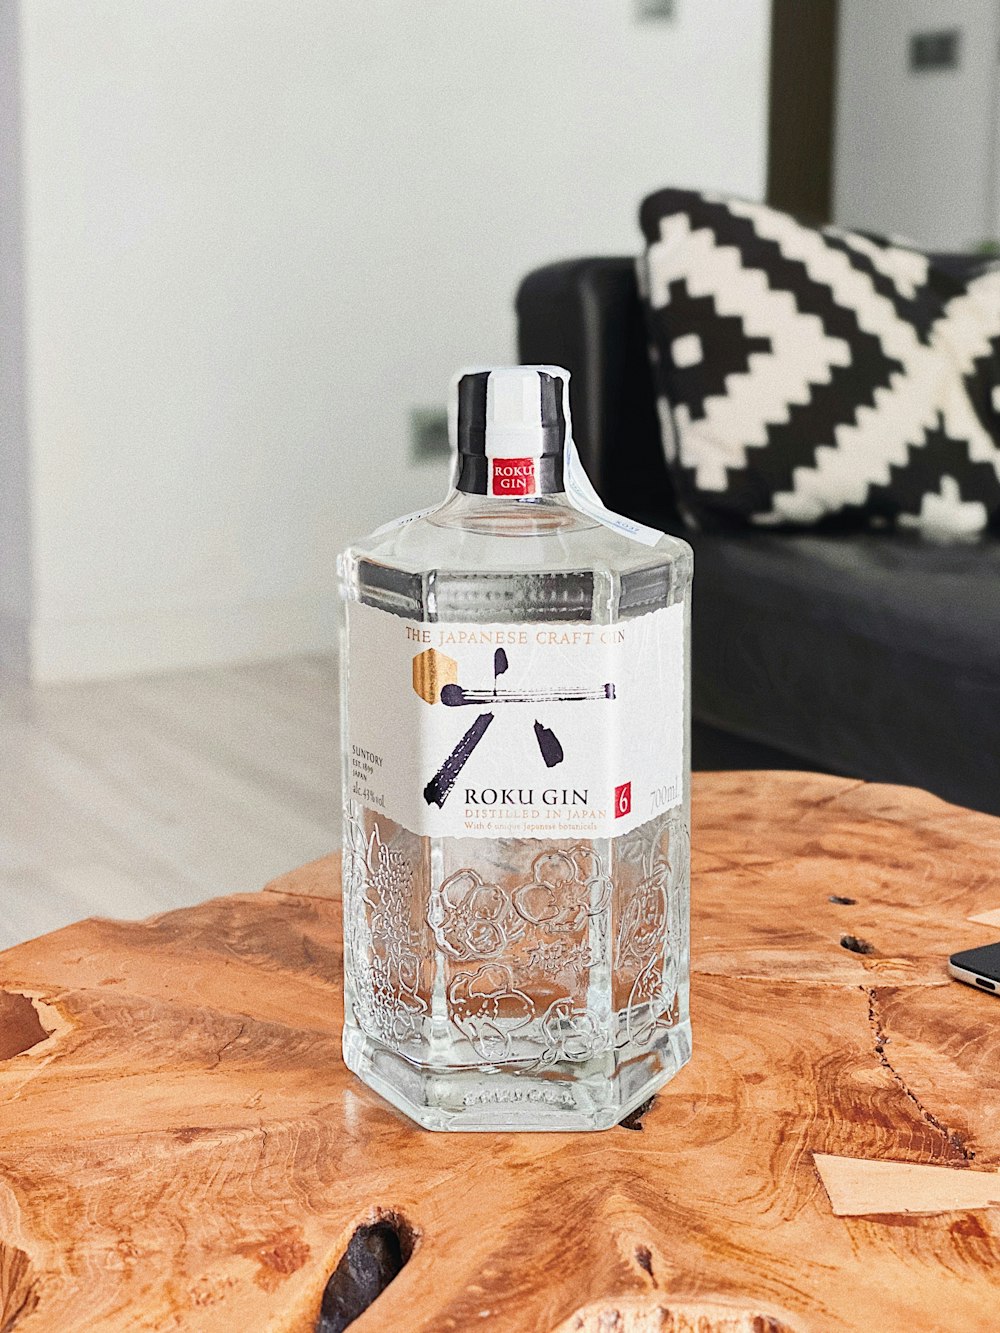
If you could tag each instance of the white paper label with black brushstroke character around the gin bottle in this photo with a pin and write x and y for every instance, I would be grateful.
(502, 731)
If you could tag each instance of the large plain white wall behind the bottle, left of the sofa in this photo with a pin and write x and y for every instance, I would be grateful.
(259, 231)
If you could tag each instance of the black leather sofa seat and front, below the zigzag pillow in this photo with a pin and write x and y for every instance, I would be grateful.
(866, 657)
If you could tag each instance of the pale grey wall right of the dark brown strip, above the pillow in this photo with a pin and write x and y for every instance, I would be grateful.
(917, 154)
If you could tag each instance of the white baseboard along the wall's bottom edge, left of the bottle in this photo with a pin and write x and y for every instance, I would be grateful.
(94, 649)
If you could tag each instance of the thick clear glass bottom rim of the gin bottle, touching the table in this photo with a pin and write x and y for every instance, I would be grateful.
(503, 1099)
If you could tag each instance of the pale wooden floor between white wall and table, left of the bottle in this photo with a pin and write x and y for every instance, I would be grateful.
(130, 798)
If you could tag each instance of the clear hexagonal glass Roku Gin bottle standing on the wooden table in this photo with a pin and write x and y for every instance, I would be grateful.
(517, 790)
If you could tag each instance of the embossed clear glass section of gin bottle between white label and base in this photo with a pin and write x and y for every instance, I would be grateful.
(562, 954)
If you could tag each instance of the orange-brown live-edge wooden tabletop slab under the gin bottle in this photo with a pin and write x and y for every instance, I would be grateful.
(182, 1148)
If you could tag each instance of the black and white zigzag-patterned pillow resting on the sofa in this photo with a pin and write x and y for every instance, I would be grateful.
(821, 378)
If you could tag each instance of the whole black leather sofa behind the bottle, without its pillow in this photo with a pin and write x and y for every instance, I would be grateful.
(869, 655)
